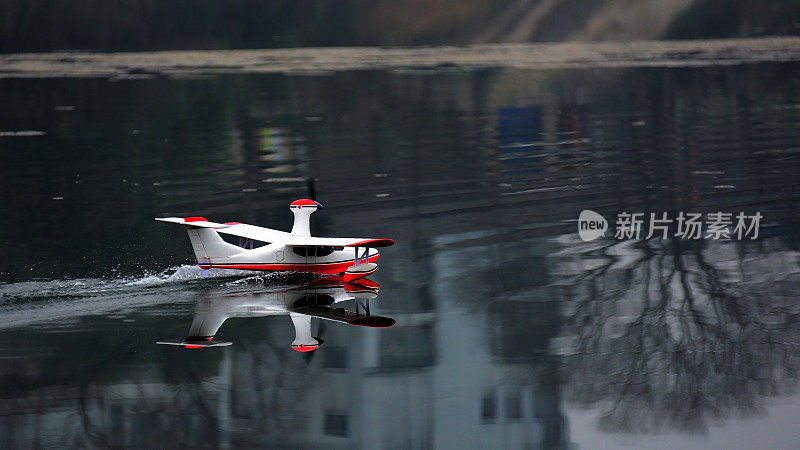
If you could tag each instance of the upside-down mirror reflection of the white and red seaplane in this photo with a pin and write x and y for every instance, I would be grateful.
(317, 299)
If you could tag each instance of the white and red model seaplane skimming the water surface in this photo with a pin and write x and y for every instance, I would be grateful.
(296, 250)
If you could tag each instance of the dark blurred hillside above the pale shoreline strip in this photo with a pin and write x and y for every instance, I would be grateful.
(101, 25)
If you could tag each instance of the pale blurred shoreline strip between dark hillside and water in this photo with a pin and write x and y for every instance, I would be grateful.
(320, 60)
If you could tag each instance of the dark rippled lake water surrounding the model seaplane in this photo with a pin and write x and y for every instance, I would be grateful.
(511, 332)
